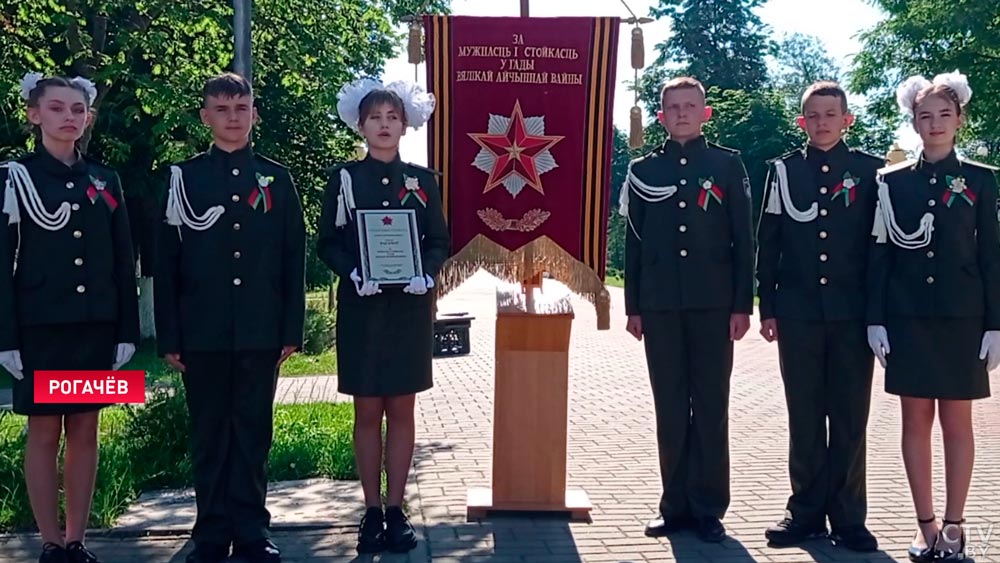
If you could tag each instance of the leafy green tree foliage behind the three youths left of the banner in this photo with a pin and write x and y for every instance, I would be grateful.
(150, 58)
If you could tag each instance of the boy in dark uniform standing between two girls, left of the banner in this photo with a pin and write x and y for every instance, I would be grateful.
(230, 303)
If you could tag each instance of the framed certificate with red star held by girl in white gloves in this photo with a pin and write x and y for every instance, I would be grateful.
(390, 246)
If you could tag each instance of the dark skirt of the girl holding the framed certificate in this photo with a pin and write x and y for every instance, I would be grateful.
(385, 342)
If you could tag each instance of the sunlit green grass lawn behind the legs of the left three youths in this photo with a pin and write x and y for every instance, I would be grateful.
(143, 449)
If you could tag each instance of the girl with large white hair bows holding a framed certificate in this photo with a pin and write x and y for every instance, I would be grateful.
(384, 334)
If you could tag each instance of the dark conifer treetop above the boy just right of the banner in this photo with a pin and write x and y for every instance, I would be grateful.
(720, 42)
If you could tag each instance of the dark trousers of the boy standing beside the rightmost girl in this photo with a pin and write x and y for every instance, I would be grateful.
(827, 370)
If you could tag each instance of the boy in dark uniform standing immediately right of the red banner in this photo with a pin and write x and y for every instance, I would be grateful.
(689, 292)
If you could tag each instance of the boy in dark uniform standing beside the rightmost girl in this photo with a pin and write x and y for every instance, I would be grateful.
(813, 240)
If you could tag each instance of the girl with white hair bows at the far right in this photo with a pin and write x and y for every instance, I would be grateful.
(934, 301)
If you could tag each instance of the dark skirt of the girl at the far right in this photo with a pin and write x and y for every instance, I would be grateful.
(936, 358)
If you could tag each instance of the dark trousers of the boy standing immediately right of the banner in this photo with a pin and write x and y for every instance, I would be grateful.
(690, 360)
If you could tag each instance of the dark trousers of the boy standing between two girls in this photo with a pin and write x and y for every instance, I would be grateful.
(230, 396)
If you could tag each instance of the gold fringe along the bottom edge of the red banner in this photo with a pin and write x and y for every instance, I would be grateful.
(539, 255)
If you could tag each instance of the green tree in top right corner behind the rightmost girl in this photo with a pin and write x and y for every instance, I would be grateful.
(929, 37)
